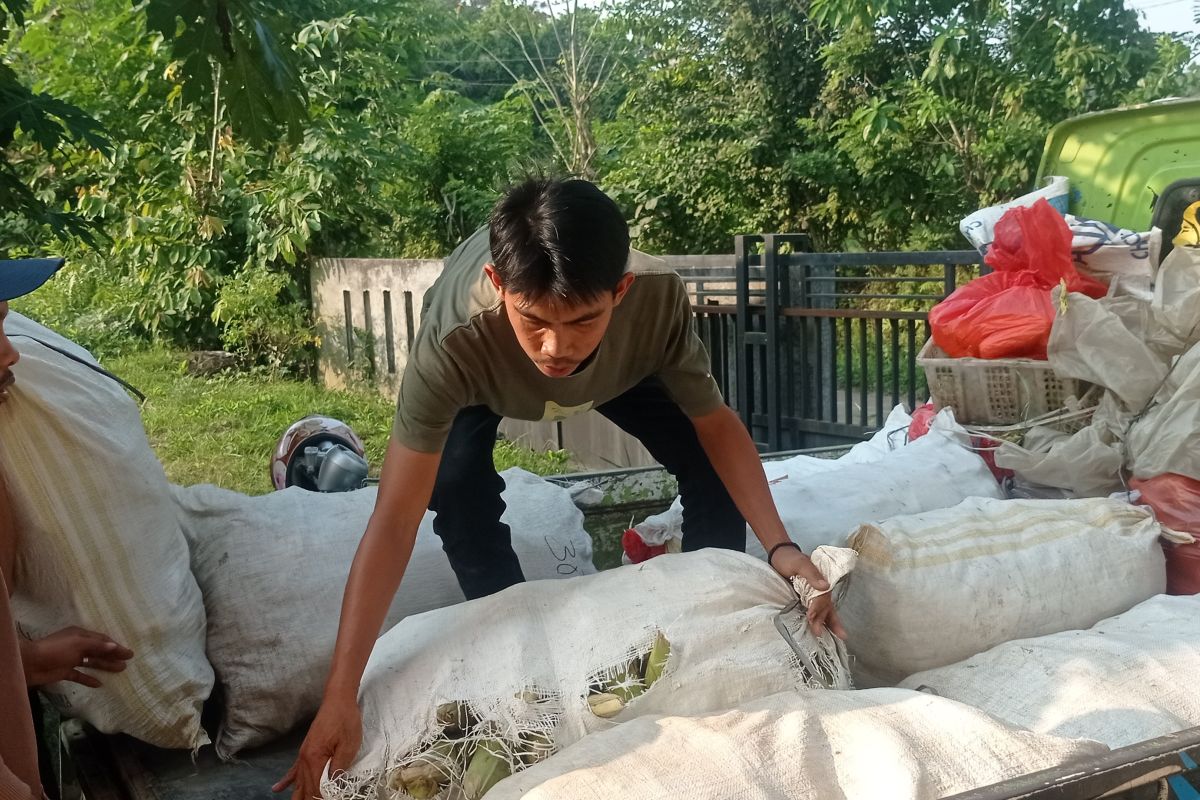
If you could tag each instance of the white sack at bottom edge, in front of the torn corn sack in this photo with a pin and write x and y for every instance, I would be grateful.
(883, 743)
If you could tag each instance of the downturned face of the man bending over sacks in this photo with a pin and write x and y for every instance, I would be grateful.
(556, 336)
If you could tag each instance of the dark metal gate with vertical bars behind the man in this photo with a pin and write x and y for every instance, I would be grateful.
(814, 350)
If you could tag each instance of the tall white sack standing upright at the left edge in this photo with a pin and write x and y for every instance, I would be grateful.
(100, 546)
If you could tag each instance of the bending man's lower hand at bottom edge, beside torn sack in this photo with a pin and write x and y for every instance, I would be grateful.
(334, 738)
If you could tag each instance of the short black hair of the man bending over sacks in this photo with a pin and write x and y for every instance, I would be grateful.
(566, 240)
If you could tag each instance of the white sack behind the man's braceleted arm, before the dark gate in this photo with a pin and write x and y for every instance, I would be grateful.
(824, 502)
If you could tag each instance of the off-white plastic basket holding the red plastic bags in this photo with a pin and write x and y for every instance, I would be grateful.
(995, 392)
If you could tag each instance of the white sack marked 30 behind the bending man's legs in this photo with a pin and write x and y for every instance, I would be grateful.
(273, 570)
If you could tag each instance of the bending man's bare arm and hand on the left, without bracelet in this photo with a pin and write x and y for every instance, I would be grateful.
(406, 485)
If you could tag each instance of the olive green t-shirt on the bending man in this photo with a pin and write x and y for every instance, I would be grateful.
(467, 354)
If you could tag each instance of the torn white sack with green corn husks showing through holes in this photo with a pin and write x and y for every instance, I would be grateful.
(457, 700)
